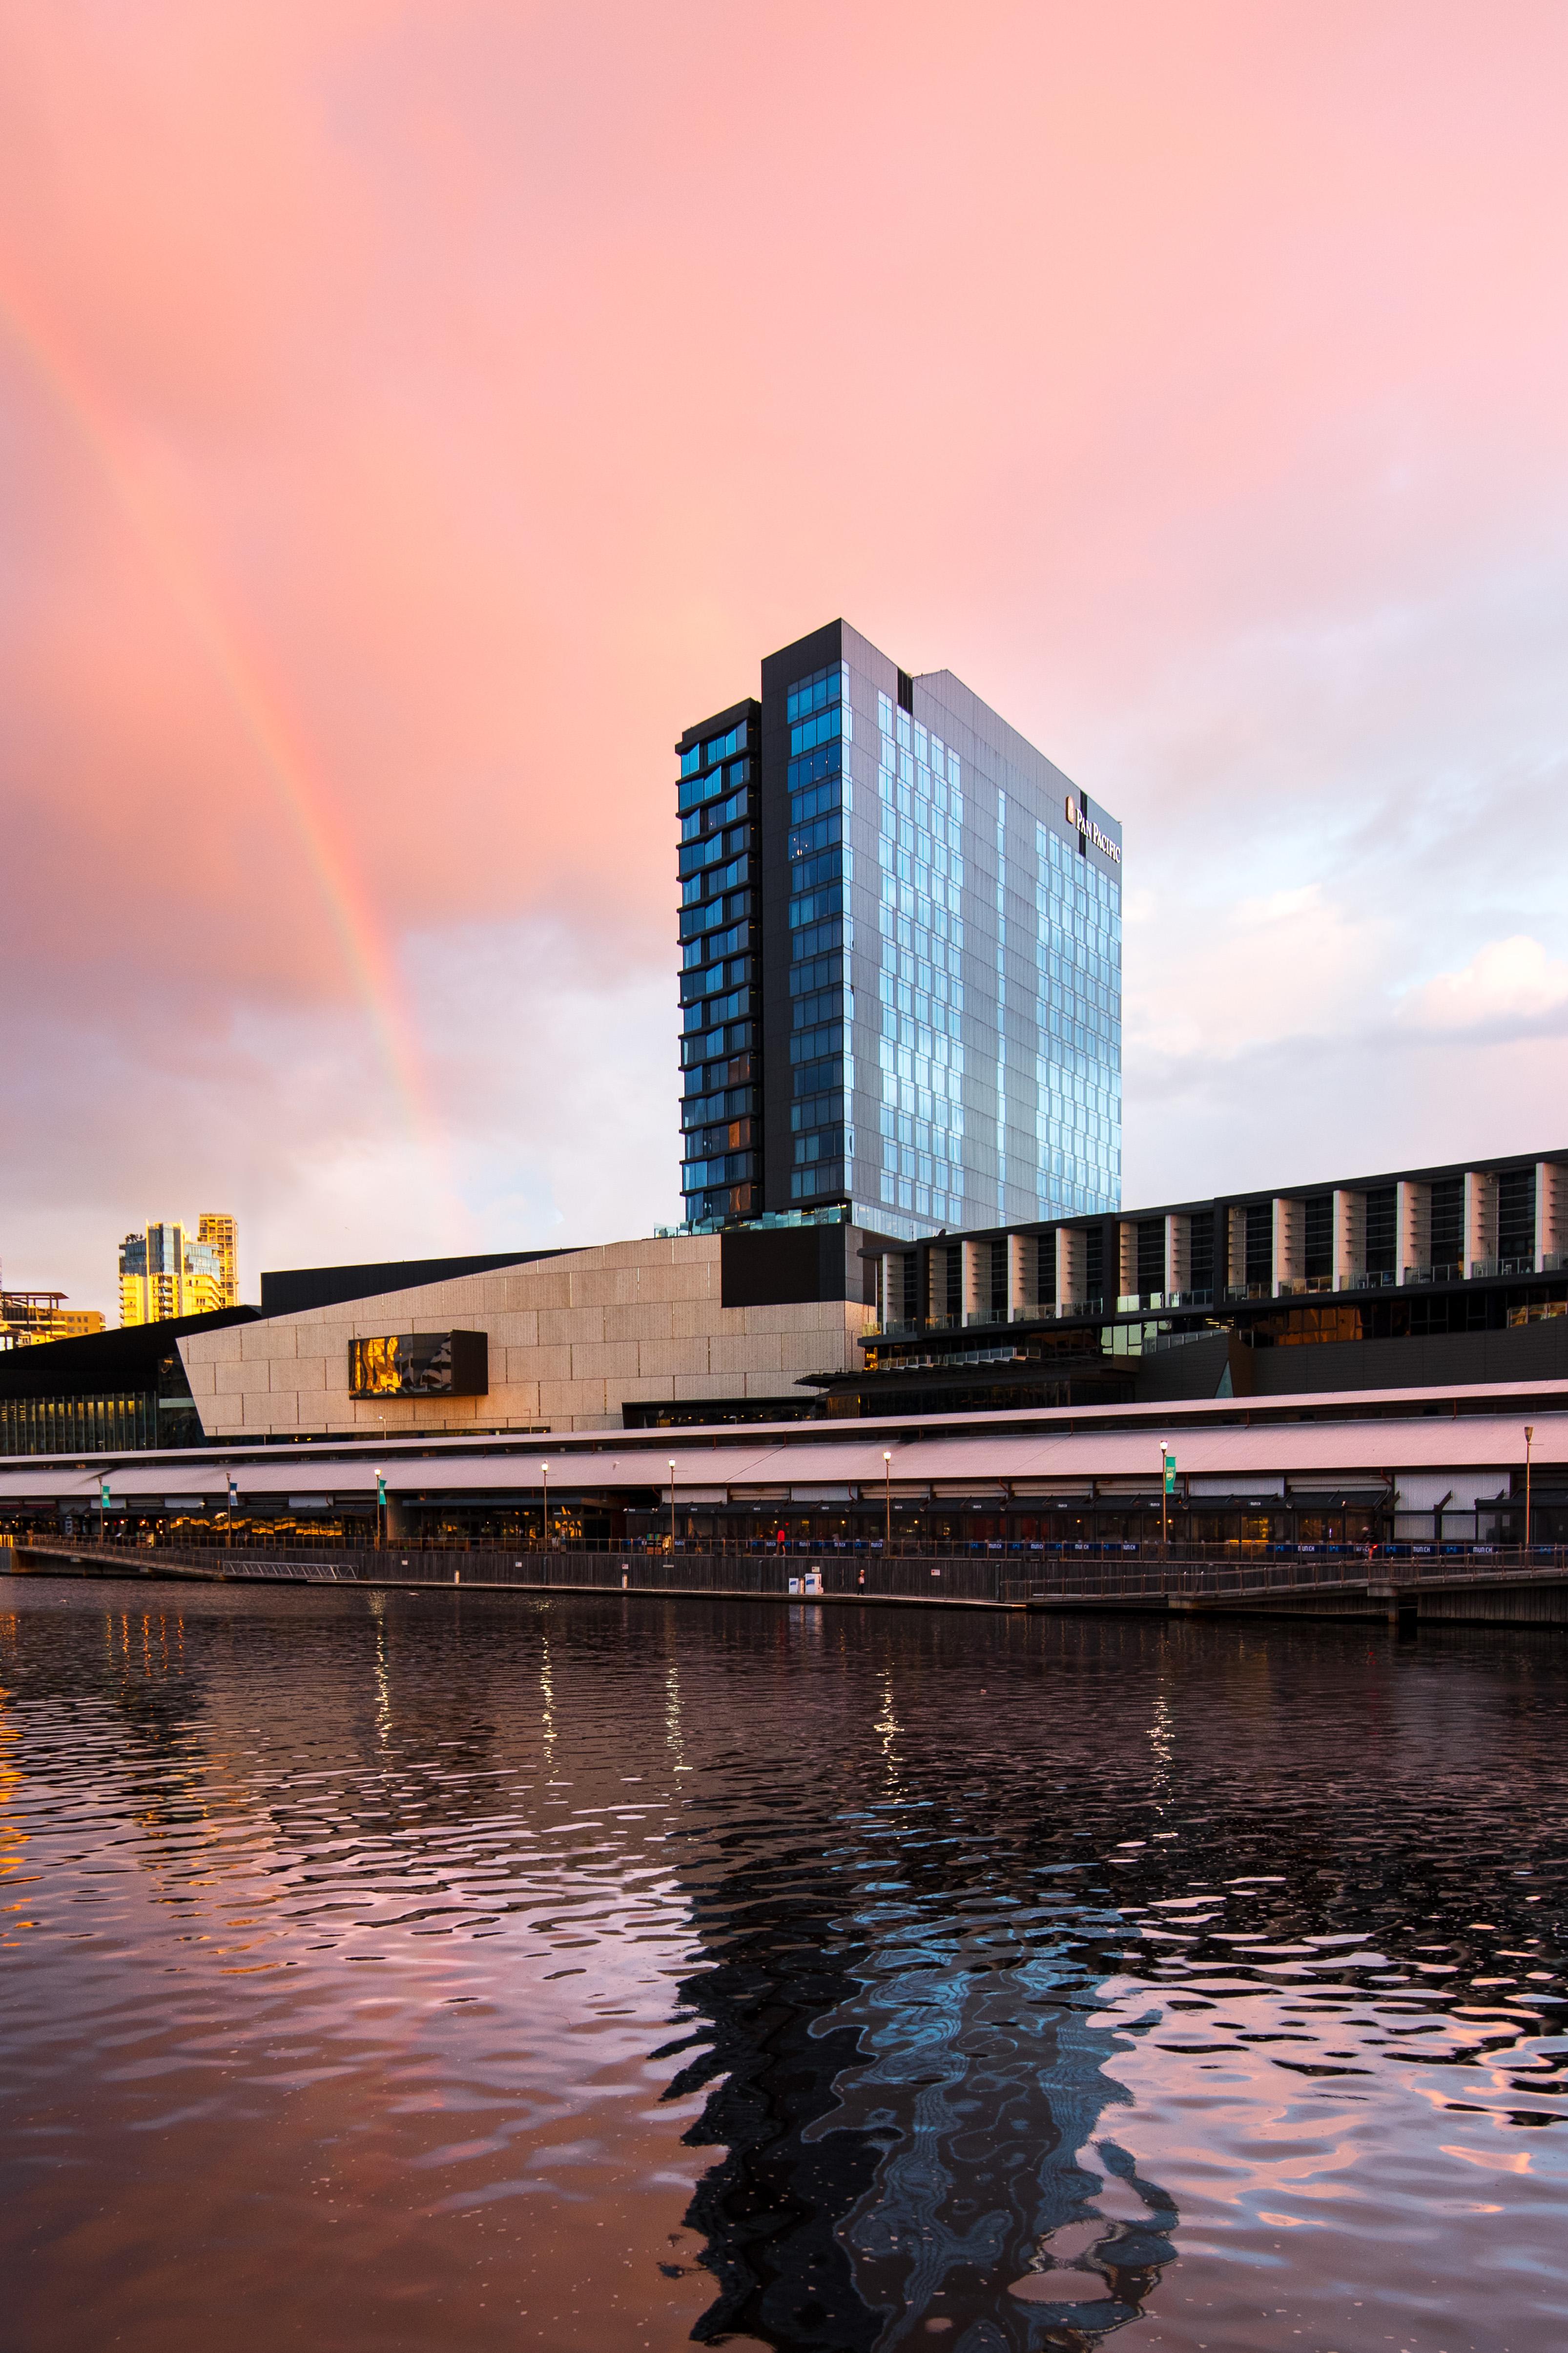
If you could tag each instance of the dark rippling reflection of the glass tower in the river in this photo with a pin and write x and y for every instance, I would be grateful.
(909, 2084)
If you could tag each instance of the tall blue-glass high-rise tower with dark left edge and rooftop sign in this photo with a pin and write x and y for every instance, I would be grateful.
(902, 959)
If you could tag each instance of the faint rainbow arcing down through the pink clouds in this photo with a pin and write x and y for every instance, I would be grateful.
(281, 756)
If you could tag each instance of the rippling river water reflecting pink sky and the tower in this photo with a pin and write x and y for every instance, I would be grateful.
(455, 1971)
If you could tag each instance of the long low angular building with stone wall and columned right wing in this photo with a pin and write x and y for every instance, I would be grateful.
(1414, 1281)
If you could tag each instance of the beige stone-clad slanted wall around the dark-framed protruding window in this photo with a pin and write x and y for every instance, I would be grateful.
(570, 1342)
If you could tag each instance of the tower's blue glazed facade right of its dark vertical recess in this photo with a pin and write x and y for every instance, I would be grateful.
(956, 961)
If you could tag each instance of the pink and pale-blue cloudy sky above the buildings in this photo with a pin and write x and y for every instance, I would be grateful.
(410, 418)
